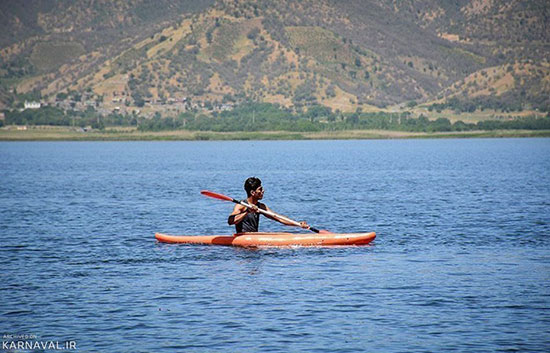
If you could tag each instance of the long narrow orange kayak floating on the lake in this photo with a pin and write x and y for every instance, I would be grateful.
(271, 239)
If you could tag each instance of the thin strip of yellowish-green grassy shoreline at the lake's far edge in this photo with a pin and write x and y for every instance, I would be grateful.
(67, 134)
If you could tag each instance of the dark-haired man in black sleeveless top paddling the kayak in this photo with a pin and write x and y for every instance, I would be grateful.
(248, 219)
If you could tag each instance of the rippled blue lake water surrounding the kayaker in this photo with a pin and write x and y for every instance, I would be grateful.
(461, 261)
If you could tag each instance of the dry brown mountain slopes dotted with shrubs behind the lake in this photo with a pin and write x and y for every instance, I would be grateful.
(345, 55)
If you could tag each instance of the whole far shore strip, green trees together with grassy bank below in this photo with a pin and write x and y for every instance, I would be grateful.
(260, 120)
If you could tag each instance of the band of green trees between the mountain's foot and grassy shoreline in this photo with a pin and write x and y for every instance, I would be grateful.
(261, 117)
